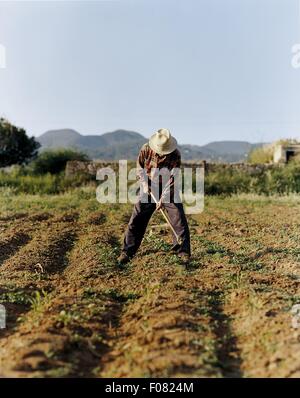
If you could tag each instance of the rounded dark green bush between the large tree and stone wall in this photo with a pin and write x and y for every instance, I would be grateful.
(54, 161)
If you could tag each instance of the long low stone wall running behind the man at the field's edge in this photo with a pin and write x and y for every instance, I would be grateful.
(90, 167)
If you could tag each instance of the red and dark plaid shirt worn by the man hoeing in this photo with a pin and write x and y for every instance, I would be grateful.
(148, 160)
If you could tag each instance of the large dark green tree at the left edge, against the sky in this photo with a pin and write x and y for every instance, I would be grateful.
(15, 146)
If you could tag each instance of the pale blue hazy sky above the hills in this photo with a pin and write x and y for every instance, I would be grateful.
(206, 69)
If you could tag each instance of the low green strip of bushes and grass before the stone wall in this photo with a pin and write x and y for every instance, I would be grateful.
(280, 180)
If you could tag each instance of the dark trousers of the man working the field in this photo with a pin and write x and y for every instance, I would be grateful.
(140, 217)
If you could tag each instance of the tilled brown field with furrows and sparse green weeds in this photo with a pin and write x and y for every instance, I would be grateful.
(72, 312)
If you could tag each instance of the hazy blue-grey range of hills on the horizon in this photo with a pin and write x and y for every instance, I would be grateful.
(124, 144)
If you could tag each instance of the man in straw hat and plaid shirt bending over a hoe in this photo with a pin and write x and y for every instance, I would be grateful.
(160, 153)
